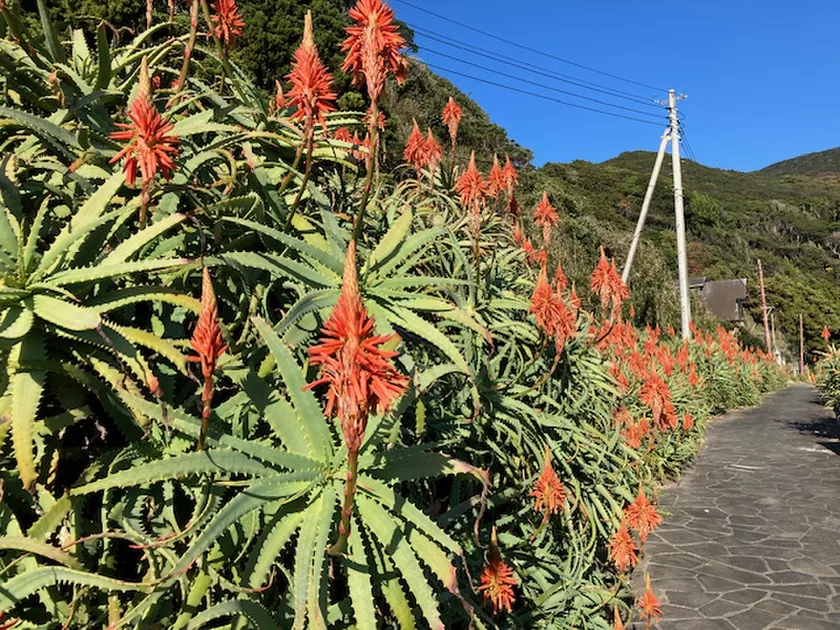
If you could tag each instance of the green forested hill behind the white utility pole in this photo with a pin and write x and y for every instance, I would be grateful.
(791, 222)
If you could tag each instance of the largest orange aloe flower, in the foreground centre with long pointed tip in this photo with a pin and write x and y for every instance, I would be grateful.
(357, 371)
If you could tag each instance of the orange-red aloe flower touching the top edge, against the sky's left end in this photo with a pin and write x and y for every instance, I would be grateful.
(373, 47)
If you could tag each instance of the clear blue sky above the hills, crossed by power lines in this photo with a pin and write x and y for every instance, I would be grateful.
(762, 76)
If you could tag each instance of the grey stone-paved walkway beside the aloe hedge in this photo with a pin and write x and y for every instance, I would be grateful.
(751, 538)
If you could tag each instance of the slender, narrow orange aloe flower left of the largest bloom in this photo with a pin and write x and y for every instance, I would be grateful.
(208, 342)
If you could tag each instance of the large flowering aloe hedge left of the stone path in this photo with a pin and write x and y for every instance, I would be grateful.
(250, 380)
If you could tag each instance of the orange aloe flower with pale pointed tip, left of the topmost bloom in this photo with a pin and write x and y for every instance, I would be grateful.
(311, 92)
